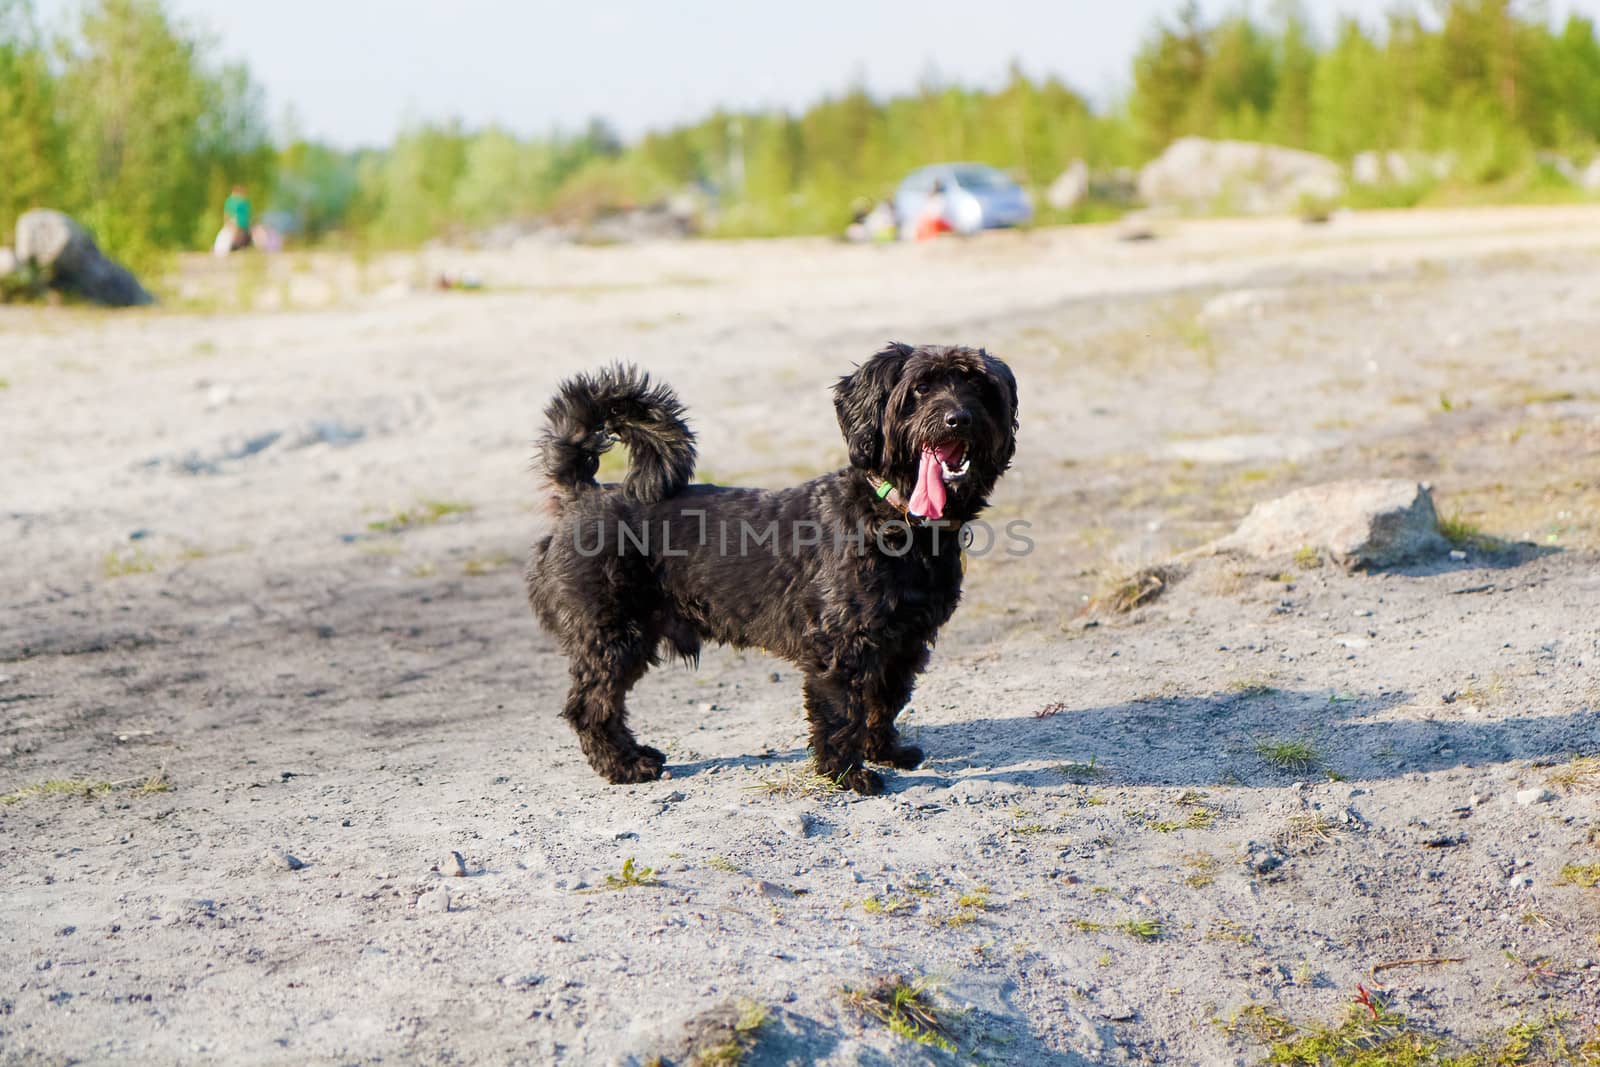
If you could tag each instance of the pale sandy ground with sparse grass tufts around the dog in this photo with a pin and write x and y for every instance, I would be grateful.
(273, 559)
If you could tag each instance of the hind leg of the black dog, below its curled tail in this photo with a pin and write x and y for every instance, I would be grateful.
(598, 711)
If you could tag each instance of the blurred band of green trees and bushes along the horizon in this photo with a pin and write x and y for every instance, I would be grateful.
(126, 124)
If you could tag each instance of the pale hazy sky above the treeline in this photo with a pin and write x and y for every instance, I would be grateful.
(356, 71)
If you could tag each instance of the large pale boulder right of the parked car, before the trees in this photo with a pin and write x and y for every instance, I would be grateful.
(1202, 175)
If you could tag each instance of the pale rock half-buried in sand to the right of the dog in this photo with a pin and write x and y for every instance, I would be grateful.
(1356, 524)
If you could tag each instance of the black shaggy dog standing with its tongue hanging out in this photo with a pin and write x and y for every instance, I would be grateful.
(849, 577)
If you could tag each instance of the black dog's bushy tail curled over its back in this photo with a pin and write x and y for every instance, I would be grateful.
(618, 402)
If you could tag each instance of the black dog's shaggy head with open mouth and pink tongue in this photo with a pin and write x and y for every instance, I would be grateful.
(932, 414)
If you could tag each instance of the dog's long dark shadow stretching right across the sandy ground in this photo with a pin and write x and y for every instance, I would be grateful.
(1249, 738)
